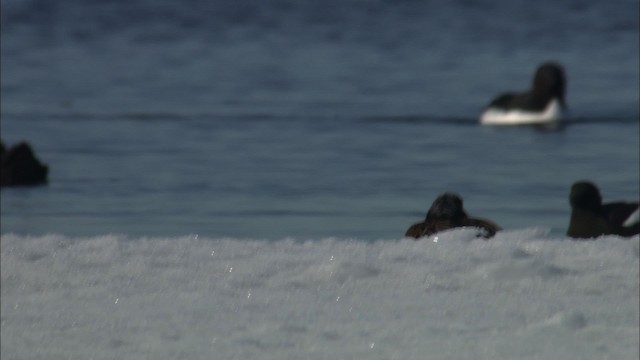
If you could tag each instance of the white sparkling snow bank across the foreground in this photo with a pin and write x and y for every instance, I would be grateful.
(521, 295)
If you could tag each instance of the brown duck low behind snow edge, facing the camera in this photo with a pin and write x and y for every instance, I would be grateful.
(447, 212)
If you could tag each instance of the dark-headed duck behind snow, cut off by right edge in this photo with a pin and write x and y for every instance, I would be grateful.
(591, 218)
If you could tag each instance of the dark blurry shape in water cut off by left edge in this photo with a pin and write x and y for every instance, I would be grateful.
(20, 167)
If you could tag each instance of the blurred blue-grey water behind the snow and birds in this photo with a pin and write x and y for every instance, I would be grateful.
(271, 119)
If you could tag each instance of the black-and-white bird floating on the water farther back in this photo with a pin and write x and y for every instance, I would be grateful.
(543, 104)
